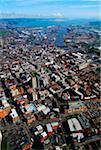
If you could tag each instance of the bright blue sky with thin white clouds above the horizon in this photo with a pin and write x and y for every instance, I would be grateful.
(50, 8)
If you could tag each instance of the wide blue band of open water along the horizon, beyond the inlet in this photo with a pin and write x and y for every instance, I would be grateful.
(41, 22)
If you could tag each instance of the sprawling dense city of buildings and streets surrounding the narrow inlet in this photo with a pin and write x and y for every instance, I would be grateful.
(49, 96)
